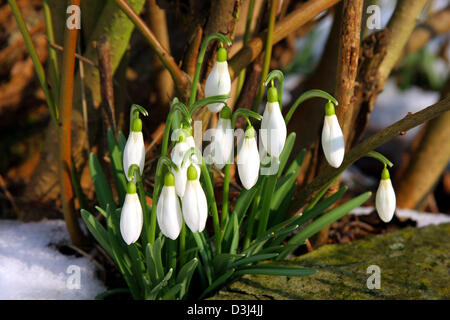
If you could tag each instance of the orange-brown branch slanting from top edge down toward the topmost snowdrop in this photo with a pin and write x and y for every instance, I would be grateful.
(282, 29)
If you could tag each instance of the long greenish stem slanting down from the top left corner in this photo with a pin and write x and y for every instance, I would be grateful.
(40, 73)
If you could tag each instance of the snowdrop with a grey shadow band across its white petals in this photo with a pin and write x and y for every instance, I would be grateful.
(332, 138)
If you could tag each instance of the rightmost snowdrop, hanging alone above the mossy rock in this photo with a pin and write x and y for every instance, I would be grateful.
(385, 201)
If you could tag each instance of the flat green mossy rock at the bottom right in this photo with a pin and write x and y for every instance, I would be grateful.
(414, 264)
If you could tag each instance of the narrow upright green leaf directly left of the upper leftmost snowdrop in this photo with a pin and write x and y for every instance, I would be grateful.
(117, 166)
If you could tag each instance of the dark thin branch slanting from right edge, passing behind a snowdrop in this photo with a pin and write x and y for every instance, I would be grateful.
(371, 143)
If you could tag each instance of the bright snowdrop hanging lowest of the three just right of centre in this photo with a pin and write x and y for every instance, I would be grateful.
(248, 159)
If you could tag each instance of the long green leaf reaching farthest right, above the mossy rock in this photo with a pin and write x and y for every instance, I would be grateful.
(323, 221)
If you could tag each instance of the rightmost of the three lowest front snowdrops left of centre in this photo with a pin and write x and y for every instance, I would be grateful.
(195, 206)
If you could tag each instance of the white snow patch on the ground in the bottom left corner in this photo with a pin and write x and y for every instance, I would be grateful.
(32, 268)
